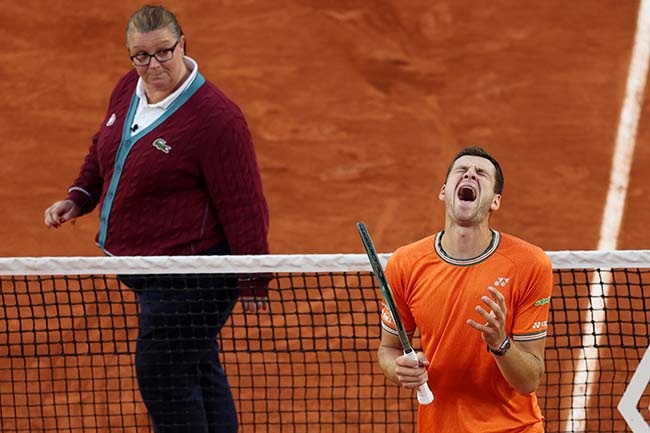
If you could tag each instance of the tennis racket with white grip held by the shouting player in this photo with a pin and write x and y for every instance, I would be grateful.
(425, 396)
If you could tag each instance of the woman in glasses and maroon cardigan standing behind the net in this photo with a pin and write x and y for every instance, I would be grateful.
(173, 171)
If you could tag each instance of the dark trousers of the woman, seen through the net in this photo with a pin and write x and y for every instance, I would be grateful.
(181, 379)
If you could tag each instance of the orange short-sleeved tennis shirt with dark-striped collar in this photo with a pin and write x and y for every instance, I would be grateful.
(437, 294)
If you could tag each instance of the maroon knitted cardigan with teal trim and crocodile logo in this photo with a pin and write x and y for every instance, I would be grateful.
(199, 187)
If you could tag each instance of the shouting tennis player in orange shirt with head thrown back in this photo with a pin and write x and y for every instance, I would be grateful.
(480, 301)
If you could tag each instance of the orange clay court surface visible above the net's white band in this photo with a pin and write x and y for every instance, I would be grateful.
(355, 107)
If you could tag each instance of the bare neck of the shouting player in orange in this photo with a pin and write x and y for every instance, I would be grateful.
(466, 242)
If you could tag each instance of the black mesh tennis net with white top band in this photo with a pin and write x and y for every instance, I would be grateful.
(68, 328)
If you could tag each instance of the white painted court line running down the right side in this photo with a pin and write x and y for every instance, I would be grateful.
(594, 326)
